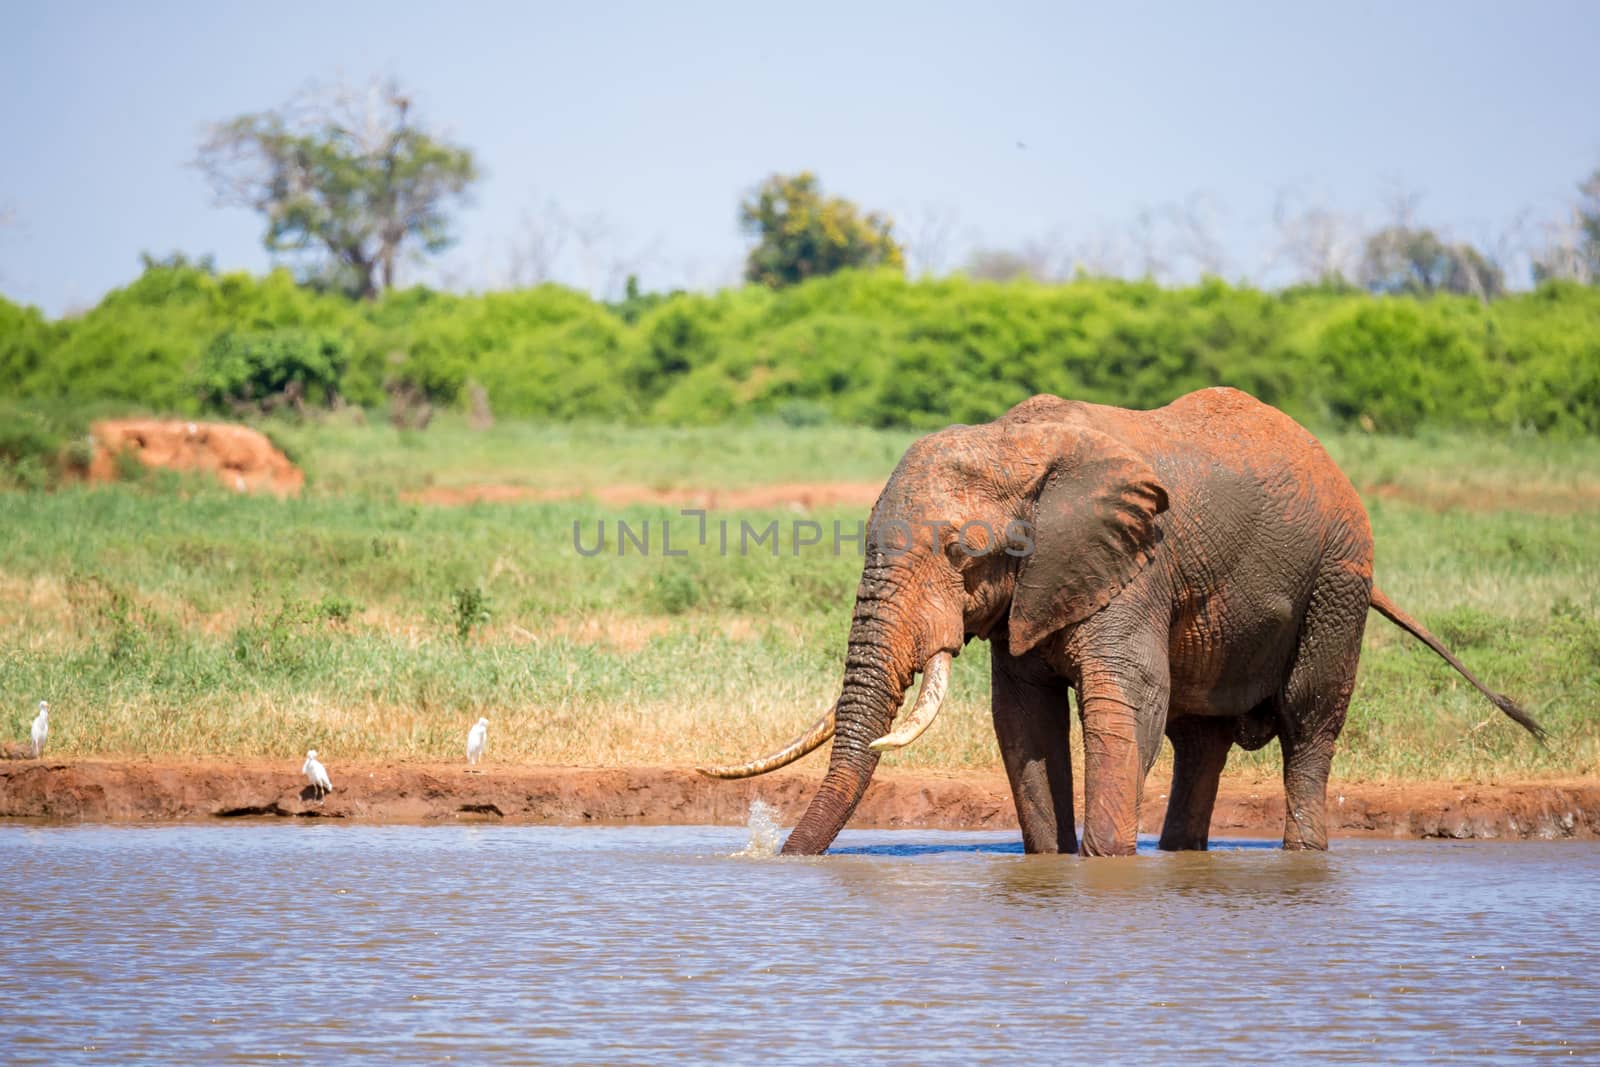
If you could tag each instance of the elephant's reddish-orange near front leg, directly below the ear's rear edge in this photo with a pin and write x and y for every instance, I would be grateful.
(1122, 701)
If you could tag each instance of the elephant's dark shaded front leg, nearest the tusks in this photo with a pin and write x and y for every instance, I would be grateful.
(1034, 730)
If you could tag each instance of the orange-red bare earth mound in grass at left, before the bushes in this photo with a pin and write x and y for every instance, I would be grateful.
(239, 457)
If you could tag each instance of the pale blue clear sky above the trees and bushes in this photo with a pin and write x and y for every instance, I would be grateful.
(650, 121)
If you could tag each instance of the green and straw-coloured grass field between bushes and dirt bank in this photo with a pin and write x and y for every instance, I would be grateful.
(174, 618)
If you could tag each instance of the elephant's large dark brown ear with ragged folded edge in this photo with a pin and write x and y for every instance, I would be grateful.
(1094, 530)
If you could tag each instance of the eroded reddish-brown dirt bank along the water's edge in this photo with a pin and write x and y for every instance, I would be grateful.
(422, 793)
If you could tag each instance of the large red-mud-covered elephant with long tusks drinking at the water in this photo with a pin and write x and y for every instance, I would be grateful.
(1201, 572)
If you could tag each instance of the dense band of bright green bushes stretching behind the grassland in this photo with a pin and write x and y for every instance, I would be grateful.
(854, 348)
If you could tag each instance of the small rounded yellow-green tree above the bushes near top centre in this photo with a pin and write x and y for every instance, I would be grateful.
(802, 234)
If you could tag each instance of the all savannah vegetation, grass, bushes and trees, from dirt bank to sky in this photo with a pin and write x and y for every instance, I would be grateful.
(161, 615)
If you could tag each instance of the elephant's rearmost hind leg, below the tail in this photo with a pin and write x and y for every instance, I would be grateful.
(1316, 700)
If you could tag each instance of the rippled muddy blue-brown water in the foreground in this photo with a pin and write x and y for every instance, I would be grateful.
(540, 945)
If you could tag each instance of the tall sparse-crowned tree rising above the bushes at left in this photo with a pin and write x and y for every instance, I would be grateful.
(343, 174)
